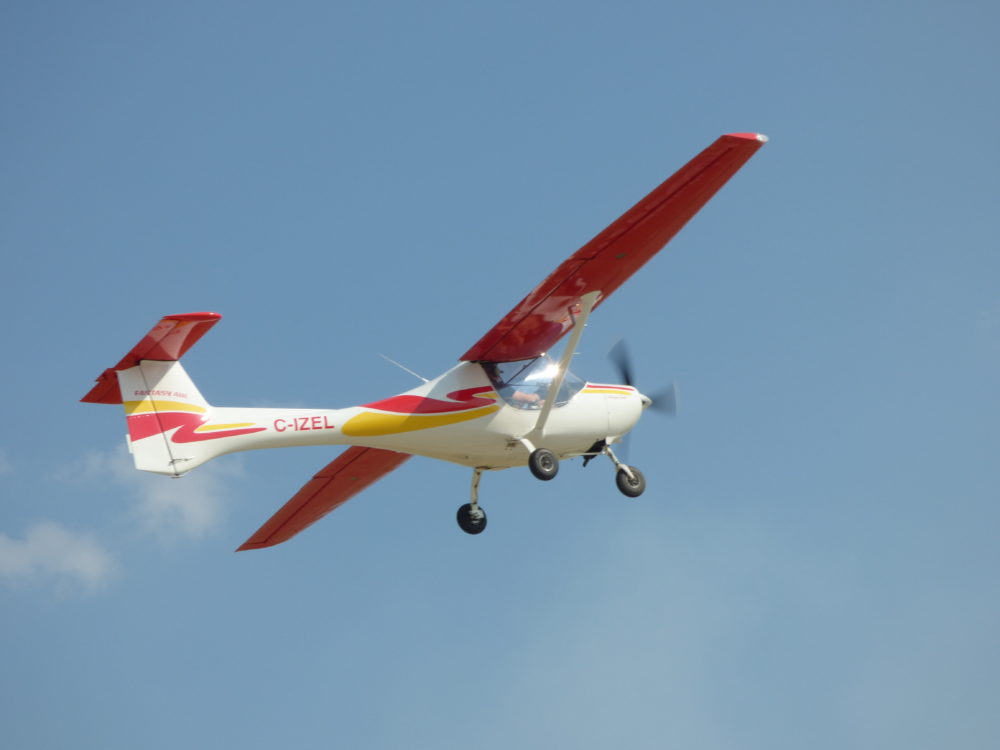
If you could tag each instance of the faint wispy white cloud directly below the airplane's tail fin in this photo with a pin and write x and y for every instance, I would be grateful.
(168, 508)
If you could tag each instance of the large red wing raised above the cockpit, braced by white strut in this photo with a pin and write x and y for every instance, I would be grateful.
(604, 263)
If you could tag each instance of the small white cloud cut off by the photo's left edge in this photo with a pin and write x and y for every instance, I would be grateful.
(74, 561)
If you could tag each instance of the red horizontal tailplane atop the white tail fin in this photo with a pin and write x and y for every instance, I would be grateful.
(168, 341)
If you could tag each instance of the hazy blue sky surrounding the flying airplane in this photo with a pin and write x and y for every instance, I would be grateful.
(814, 563)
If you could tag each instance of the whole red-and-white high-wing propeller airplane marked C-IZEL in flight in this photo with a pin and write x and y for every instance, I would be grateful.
(507, 403)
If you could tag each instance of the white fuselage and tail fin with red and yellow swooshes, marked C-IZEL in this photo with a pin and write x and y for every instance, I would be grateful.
(457, 417)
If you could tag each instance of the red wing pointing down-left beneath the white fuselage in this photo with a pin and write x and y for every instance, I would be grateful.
(352, 471)
